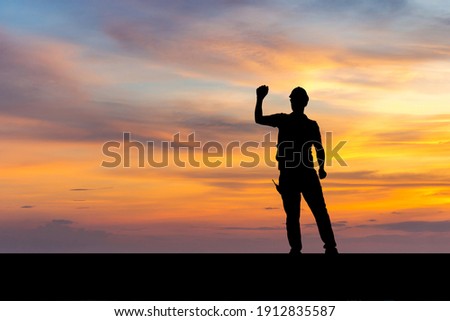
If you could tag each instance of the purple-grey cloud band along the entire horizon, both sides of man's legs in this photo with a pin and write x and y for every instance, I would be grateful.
(65, 236)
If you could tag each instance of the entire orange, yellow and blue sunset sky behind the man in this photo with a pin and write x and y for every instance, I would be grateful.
(78, 74)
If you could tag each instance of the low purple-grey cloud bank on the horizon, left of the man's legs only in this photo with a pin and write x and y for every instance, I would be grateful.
(62, 236)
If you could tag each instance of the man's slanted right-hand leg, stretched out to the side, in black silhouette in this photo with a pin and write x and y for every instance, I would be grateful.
(312, 192)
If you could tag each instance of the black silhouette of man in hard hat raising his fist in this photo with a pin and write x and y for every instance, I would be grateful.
(296, 136)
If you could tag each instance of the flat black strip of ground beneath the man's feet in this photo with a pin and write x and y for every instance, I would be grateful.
(225, 277)
